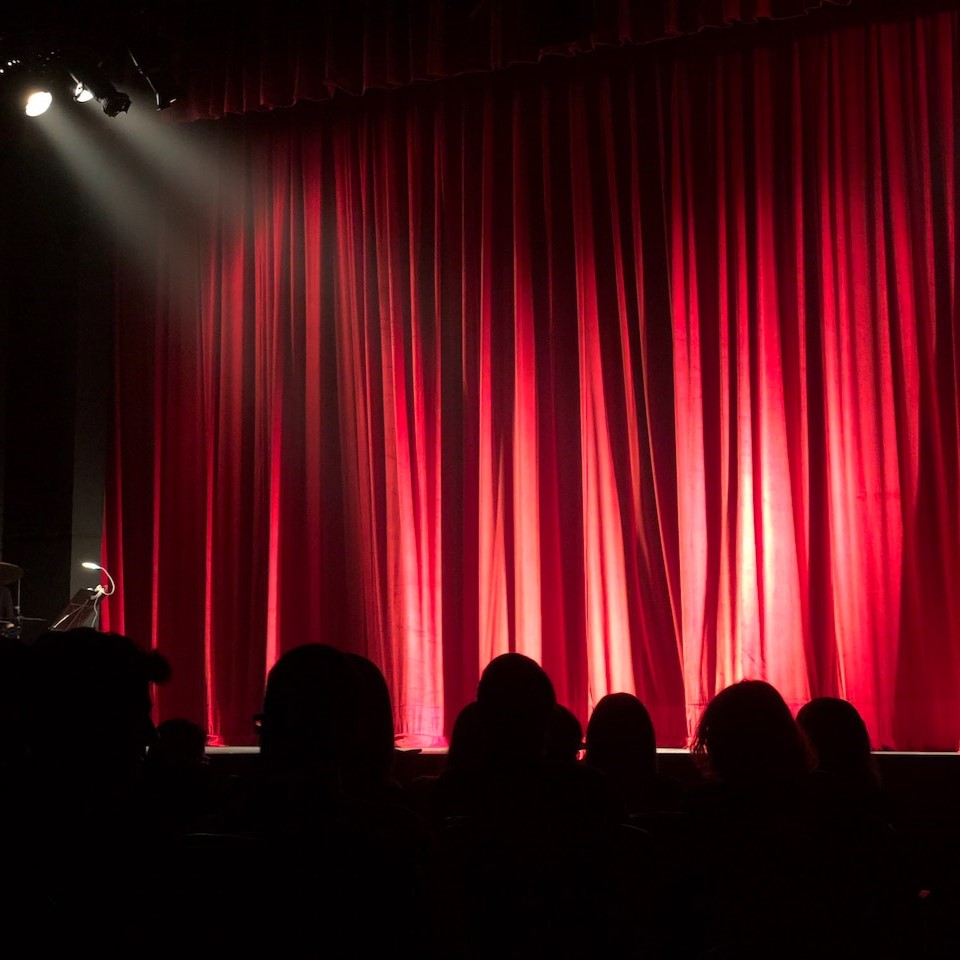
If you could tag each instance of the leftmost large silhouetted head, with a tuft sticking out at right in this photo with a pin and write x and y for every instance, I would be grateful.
(90, 696)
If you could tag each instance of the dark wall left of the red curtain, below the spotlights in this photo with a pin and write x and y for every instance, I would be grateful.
(55, 363)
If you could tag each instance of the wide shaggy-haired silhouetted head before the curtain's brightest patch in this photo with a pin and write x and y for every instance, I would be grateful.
(747, 733)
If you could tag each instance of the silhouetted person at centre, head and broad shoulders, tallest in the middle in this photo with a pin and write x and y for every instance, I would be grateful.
(535, 861)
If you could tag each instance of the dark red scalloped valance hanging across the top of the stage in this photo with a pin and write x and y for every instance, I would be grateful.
(275, 56)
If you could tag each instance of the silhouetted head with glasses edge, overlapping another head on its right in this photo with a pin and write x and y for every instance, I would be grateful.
(309, 710)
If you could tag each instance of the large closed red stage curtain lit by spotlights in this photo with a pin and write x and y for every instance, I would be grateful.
(645, 365)
